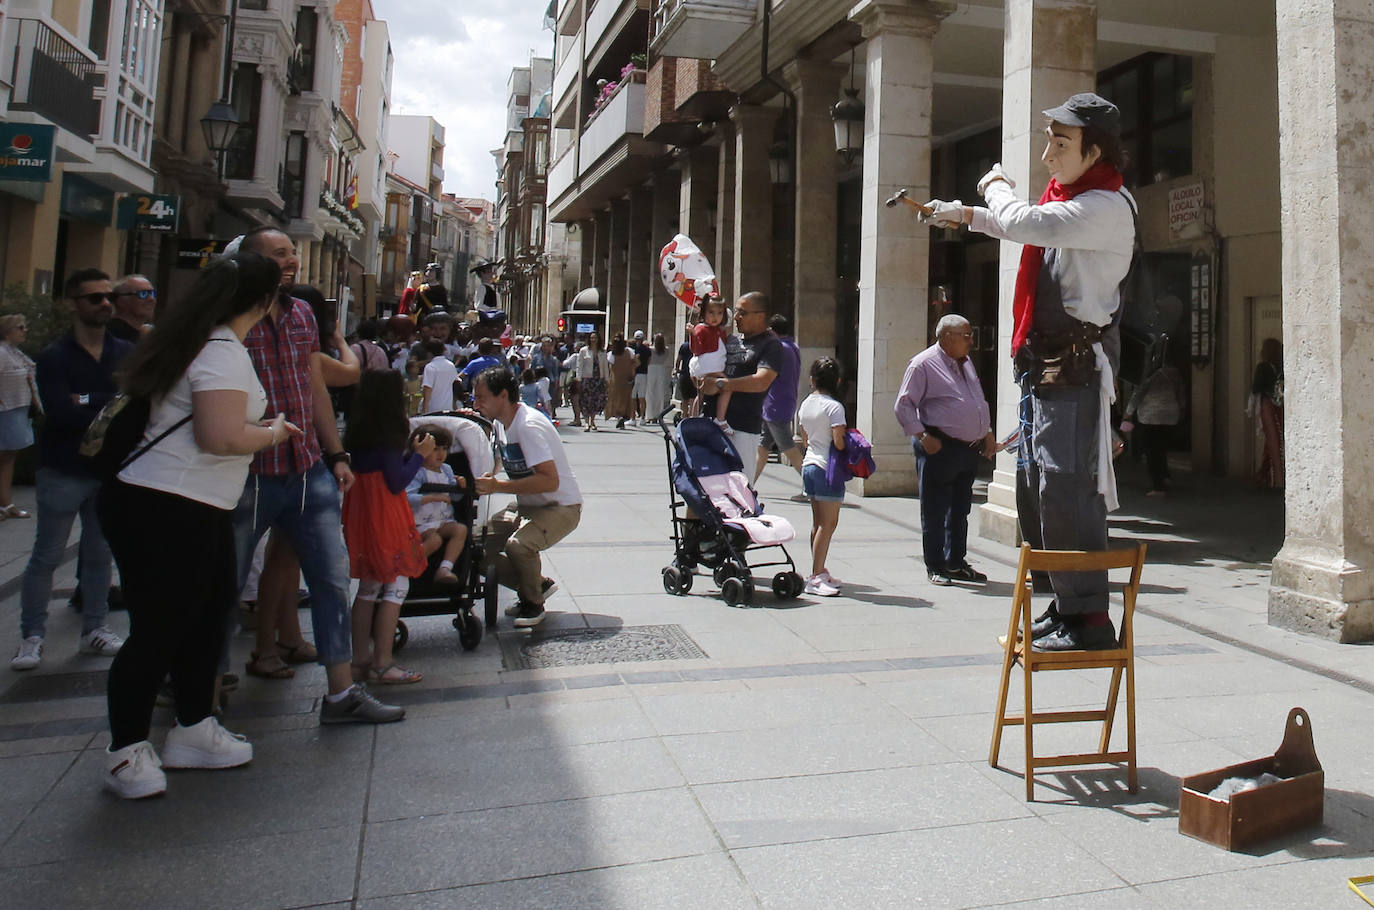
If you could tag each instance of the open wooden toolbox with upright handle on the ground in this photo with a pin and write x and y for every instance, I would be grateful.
(1257, 816)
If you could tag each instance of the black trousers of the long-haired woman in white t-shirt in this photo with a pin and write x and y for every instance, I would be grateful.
(178, 563)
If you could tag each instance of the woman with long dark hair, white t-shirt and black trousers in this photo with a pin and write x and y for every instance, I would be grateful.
(168, 519)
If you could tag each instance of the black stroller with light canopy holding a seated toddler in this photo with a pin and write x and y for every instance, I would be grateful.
(471, 457)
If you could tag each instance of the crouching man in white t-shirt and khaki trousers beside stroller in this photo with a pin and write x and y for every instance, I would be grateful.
(549, 505)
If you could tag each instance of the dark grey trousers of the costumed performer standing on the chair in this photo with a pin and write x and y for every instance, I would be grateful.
(1061, 490)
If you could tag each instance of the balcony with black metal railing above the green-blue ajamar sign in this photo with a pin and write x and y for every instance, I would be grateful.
(56, 79)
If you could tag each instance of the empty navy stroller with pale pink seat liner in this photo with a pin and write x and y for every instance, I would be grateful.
(717, 516)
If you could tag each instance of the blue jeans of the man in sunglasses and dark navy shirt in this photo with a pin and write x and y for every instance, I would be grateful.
(61, 500)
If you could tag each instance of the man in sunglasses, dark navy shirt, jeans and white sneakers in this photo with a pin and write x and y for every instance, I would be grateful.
(76, 380)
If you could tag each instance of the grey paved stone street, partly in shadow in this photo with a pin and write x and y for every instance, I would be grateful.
(822, 754)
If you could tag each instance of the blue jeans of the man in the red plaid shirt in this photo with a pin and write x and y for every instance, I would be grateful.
(306, 508)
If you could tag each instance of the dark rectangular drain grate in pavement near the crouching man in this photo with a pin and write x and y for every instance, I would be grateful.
(574, 648)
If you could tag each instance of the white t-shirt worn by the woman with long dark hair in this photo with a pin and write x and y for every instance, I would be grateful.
(177, 465)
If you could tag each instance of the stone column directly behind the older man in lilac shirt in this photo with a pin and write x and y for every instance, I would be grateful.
(894, 262)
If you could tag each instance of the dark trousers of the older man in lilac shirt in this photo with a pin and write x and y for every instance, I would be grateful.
(946, 489)
